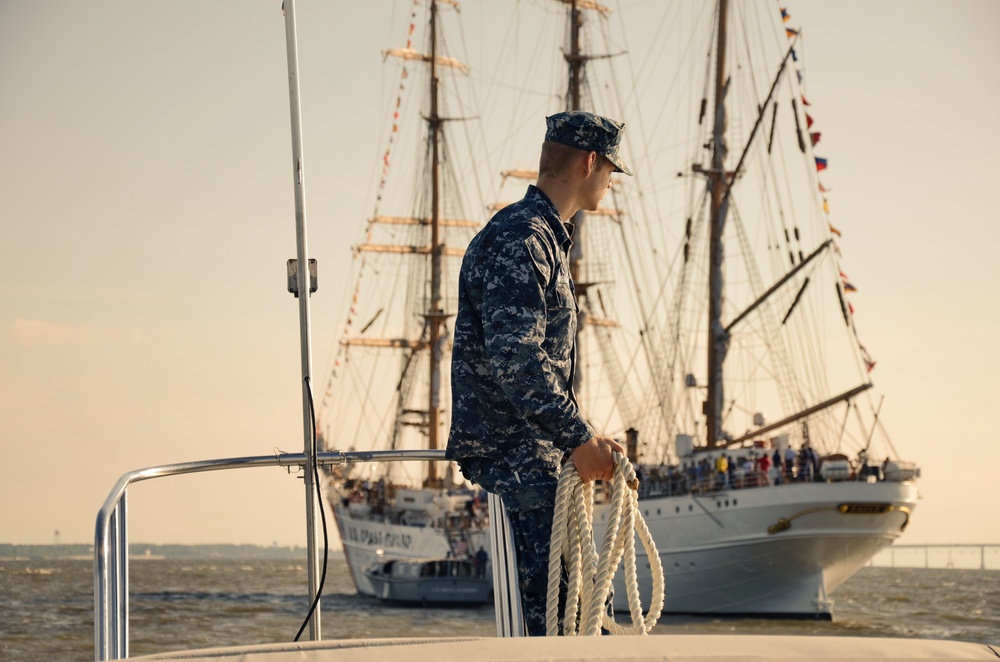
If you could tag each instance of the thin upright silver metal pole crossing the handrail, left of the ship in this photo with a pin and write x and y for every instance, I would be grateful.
(305, 343)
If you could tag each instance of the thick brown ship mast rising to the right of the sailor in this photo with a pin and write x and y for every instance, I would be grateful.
(718, 337)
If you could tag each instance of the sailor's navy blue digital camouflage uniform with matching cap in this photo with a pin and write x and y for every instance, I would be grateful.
(514, 414)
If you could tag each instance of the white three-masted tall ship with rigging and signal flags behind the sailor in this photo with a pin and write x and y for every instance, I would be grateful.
(707, 307)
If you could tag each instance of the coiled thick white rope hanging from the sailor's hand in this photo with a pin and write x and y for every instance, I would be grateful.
(590, 574)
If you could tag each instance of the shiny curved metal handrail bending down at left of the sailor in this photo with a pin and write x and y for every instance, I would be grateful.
(111, 533)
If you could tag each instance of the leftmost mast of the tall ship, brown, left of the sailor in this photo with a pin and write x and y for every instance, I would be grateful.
(435, 314)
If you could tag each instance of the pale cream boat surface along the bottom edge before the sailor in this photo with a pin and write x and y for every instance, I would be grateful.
(682, 648)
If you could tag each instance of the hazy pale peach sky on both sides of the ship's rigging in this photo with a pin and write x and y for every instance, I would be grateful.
(146, 209)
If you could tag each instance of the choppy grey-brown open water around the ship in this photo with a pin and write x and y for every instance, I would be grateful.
(46, 608)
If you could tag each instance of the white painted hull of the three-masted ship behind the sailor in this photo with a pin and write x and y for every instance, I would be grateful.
(717, 552)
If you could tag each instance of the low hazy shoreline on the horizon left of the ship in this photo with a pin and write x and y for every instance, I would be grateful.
(143, 551)
